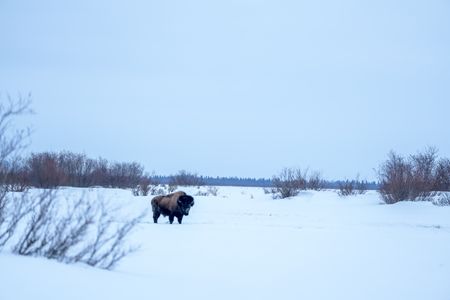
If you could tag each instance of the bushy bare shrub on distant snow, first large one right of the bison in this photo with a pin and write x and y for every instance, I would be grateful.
(288, 183)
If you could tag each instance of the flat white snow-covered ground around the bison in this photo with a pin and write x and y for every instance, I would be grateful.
(242, 244)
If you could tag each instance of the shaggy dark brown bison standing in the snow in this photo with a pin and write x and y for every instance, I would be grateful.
(173, 205)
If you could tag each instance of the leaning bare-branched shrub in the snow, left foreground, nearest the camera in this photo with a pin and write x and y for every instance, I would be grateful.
(74, 231)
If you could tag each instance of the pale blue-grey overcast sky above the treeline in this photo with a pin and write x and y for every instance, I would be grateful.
(232, 87)
